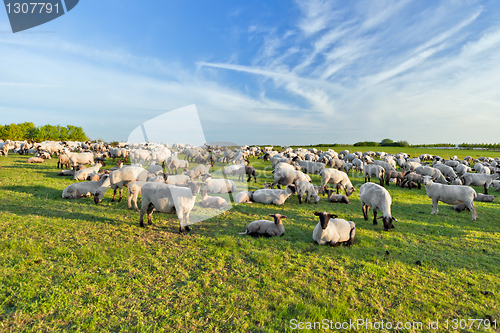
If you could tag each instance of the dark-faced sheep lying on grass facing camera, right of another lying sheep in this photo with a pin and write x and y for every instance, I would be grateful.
(332, 230)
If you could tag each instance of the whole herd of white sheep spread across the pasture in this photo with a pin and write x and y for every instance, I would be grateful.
(164, 189)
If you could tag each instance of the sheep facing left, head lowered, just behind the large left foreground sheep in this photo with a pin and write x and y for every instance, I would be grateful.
(119, 178)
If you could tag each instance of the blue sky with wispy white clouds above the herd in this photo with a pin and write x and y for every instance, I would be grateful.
(281, 72)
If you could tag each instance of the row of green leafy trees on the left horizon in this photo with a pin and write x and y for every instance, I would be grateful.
(28, 131)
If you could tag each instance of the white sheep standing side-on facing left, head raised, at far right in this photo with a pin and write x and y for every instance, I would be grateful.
(450, 194)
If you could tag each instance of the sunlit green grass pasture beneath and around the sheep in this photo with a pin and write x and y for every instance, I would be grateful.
(70, 265)
